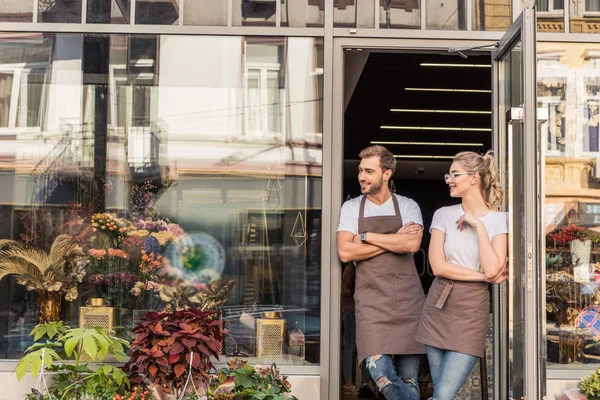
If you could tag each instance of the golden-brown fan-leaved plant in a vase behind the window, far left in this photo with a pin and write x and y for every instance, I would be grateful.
(51, 274)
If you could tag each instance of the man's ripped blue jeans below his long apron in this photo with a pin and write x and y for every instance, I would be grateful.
(397, 378)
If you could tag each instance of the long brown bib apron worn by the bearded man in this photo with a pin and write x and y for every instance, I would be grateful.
(388, 295)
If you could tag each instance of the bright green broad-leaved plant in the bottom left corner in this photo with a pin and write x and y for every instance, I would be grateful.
(65, 352)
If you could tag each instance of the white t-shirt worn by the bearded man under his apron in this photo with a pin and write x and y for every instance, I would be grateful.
(409, 211)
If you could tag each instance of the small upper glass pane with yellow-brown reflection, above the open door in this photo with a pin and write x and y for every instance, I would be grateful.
(493, 15)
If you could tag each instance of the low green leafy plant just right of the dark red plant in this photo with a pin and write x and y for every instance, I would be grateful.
(243, 382)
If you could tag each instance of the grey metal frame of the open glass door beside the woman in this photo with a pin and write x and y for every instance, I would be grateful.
(523, 31)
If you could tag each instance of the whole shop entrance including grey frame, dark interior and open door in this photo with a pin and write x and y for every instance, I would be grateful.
(409, 105)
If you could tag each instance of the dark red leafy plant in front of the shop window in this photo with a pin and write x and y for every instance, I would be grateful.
(162, 349)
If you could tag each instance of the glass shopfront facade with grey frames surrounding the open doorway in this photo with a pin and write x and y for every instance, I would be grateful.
(226, 118)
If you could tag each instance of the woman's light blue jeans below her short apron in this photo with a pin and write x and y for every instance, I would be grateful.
(449, 371)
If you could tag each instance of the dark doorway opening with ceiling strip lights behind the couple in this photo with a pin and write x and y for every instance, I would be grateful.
(424, 107)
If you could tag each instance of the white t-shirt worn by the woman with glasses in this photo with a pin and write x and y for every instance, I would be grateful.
(461, 247)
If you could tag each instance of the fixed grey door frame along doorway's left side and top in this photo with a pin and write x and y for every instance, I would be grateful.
(331, 373)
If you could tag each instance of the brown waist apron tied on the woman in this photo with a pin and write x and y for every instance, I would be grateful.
(455, 316)
